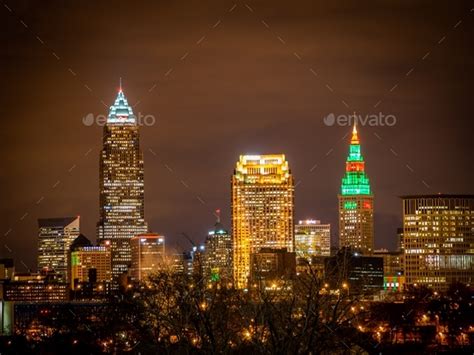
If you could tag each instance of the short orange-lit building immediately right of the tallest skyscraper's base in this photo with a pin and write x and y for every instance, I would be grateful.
(148, 255)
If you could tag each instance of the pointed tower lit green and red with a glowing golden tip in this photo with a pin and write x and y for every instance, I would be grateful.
(356, 203)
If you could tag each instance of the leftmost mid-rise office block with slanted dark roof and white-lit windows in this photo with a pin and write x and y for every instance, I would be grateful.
(55, 237)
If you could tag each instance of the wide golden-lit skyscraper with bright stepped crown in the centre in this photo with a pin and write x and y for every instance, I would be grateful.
(262, 210)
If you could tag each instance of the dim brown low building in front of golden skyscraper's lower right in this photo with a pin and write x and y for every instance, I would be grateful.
(269, 266)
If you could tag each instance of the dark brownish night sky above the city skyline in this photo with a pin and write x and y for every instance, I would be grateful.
(224, 78)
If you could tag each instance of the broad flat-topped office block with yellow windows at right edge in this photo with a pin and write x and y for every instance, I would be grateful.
(438, 238)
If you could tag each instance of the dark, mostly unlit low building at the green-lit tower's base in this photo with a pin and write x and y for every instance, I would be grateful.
(355, 272)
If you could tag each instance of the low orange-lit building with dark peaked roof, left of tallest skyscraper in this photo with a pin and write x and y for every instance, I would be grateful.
(89, 263)
